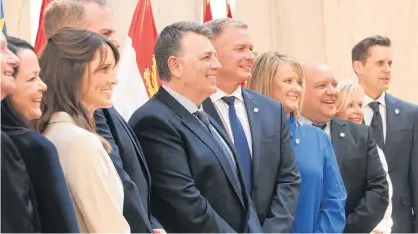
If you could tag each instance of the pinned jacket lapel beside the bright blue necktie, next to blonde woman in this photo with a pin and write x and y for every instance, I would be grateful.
(254, 119)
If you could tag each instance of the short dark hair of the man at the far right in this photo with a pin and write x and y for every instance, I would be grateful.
(360, 51)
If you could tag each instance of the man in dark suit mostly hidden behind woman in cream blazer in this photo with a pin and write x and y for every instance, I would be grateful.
(127, 156)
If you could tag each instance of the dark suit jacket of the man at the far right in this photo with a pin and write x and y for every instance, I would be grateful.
(401, 151)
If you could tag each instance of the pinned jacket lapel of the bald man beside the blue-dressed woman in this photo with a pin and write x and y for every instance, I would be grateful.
(338, 132)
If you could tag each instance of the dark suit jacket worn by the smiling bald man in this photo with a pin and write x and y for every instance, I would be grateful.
(363, 175)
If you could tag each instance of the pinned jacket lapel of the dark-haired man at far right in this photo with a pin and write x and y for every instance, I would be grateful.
(392, 115)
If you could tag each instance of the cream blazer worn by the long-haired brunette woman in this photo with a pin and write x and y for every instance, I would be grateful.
(95, 187)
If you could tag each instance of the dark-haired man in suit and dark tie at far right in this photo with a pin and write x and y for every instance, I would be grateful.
(394, 125)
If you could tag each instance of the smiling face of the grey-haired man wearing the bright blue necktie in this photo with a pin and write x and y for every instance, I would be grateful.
(234, 51)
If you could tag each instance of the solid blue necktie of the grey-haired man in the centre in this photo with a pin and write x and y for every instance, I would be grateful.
(241, 143)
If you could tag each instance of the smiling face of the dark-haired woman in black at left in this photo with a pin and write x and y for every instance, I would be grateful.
(27, 97)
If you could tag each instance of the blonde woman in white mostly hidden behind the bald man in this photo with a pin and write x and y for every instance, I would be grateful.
(350, 107)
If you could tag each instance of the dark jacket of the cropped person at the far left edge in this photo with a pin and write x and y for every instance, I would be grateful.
(18, 214)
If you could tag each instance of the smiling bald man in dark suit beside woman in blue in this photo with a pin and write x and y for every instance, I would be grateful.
(356, 151)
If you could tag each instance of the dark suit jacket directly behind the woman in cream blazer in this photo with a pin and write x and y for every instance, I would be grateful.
(129, 161)
